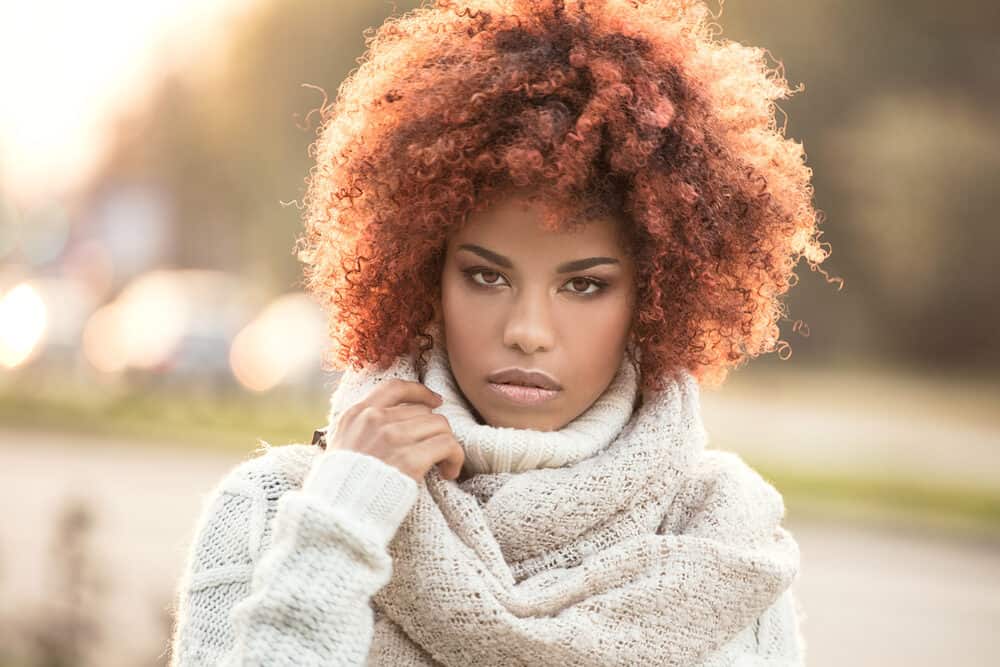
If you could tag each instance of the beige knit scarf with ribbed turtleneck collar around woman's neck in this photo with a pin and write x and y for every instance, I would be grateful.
(617, 540)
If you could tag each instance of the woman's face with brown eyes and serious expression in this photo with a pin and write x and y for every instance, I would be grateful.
(515, 296)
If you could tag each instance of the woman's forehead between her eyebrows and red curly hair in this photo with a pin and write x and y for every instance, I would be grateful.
(513, 226)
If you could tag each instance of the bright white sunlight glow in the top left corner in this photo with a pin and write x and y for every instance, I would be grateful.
(67, 67)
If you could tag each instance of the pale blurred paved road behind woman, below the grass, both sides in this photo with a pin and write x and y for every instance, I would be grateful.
(871, 596)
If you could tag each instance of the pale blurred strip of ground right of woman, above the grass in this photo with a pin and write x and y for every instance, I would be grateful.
(873, 430)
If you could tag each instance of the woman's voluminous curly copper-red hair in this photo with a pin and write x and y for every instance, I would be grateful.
(628, 107)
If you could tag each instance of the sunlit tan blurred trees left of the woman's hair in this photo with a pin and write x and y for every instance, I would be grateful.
(229, 140)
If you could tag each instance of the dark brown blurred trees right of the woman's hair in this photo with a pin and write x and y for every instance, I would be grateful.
(897, 115)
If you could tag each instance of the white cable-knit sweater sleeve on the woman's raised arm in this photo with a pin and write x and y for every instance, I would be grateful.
(306, 599)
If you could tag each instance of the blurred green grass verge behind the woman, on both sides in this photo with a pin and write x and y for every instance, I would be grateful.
(235, 422)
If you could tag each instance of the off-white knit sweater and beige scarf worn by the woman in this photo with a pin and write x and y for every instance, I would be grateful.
(617, 540)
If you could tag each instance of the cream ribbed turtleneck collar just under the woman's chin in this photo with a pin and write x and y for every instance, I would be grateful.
(494, 449)
